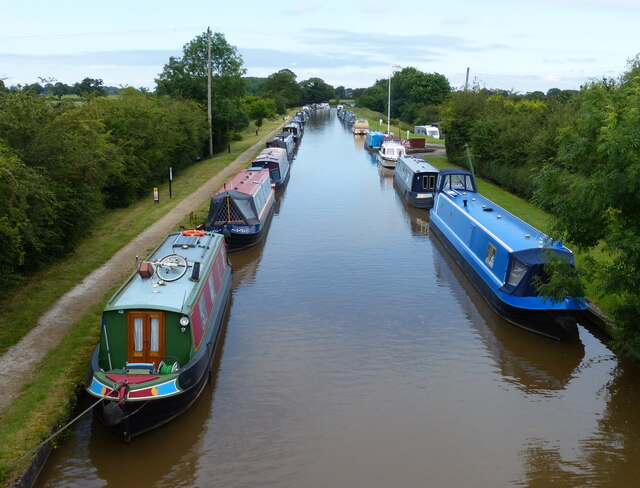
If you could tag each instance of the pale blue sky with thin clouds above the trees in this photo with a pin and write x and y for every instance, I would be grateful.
(517, 45)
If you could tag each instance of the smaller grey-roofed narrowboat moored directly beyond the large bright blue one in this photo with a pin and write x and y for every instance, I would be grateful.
(415, 179)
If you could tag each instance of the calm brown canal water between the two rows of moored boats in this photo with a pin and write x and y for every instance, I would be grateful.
(356, 354)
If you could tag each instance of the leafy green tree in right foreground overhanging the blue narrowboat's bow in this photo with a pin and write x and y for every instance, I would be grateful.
(592, 187)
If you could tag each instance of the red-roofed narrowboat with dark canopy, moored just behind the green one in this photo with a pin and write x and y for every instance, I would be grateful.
(242, 209)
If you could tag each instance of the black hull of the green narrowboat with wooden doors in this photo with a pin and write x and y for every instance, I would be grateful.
(131, 418)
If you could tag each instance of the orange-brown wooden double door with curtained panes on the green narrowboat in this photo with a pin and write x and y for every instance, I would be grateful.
(145, 333)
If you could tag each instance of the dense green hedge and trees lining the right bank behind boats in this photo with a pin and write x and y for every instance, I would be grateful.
(575, 154)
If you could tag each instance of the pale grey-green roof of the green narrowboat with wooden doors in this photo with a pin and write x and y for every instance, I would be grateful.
(178, 295)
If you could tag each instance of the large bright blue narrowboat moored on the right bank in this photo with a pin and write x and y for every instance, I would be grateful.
(501, 255)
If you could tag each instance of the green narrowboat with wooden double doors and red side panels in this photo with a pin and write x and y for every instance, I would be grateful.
(159, 334)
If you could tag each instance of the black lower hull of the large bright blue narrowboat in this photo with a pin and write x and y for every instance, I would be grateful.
(557, 324)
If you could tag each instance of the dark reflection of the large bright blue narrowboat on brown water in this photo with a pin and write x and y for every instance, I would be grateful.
(532, 363)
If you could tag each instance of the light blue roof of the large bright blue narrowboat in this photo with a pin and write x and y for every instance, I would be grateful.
(514, 233)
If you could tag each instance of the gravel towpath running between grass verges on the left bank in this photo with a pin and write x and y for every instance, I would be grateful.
(18, 363)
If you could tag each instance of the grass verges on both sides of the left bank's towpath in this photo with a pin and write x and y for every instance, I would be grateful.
(44, 402)
